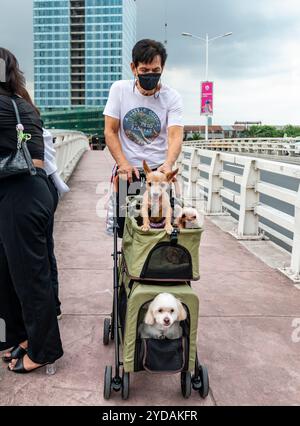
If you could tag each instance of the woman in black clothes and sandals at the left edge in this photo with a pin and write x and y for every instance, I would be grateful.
(27, 306)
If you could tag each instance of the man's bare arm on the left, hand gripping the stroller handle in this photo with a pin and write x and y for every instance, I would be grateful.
(111, 133)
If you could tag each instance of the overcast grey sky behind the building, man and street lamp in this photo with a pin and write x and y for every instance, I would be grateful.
(256, 71)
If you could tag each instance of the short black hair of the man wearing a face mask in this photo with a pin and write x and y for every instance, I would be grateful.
(145, 51)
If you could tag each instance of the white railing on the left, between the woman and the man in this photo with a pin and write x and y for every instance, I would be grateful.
(70, 146)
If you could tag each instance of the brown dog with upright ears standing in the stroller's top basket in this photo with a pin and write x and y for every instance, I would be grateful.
(156, 208)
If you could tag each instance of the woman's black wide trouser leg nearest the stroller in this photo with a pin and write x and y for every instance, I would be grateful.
(28, 210)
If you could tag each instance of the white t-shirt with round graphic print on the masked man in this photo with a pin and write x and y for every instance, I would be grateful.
(144, 121)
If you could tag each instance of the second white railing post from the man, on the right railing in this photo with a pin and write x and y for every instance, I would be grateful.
(214, 199)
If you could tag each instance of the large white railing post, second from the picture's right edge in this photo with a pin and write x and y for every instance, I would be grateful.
(249, 198)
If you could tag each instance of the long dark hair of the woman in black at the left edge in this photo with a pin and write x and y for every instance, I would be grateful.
(15, 83)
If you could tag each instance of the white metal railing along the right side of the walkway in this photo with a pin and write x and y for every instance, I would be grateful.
(232, 182)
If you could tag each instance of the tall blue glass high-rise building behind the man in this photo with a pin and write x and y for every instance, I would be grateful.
(80, 48)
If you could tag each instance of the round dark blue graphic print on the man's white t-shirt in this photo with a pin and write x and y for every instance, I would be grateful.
(142, 126)
